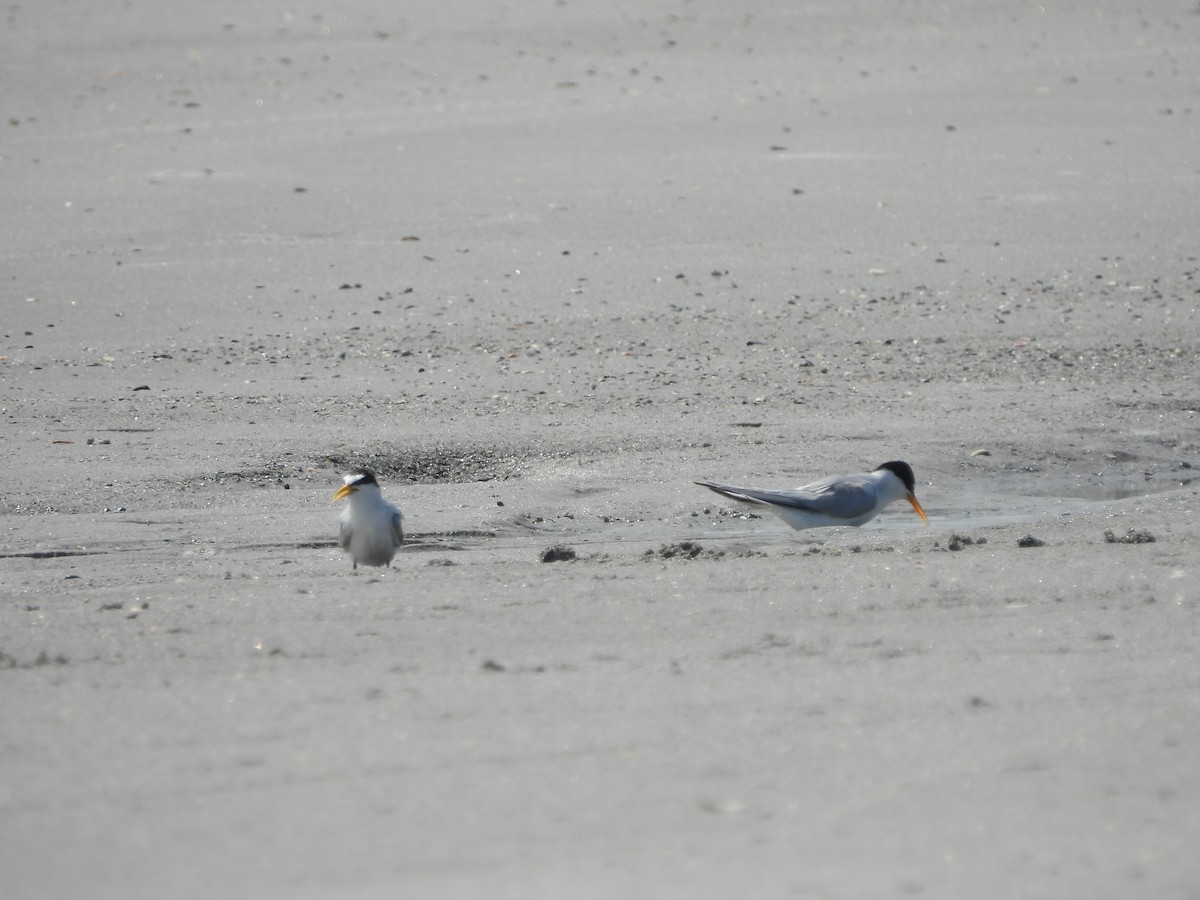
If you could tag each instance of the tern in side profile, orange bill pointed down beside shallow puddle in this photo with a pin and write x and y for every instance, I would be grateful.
(836, 501)
